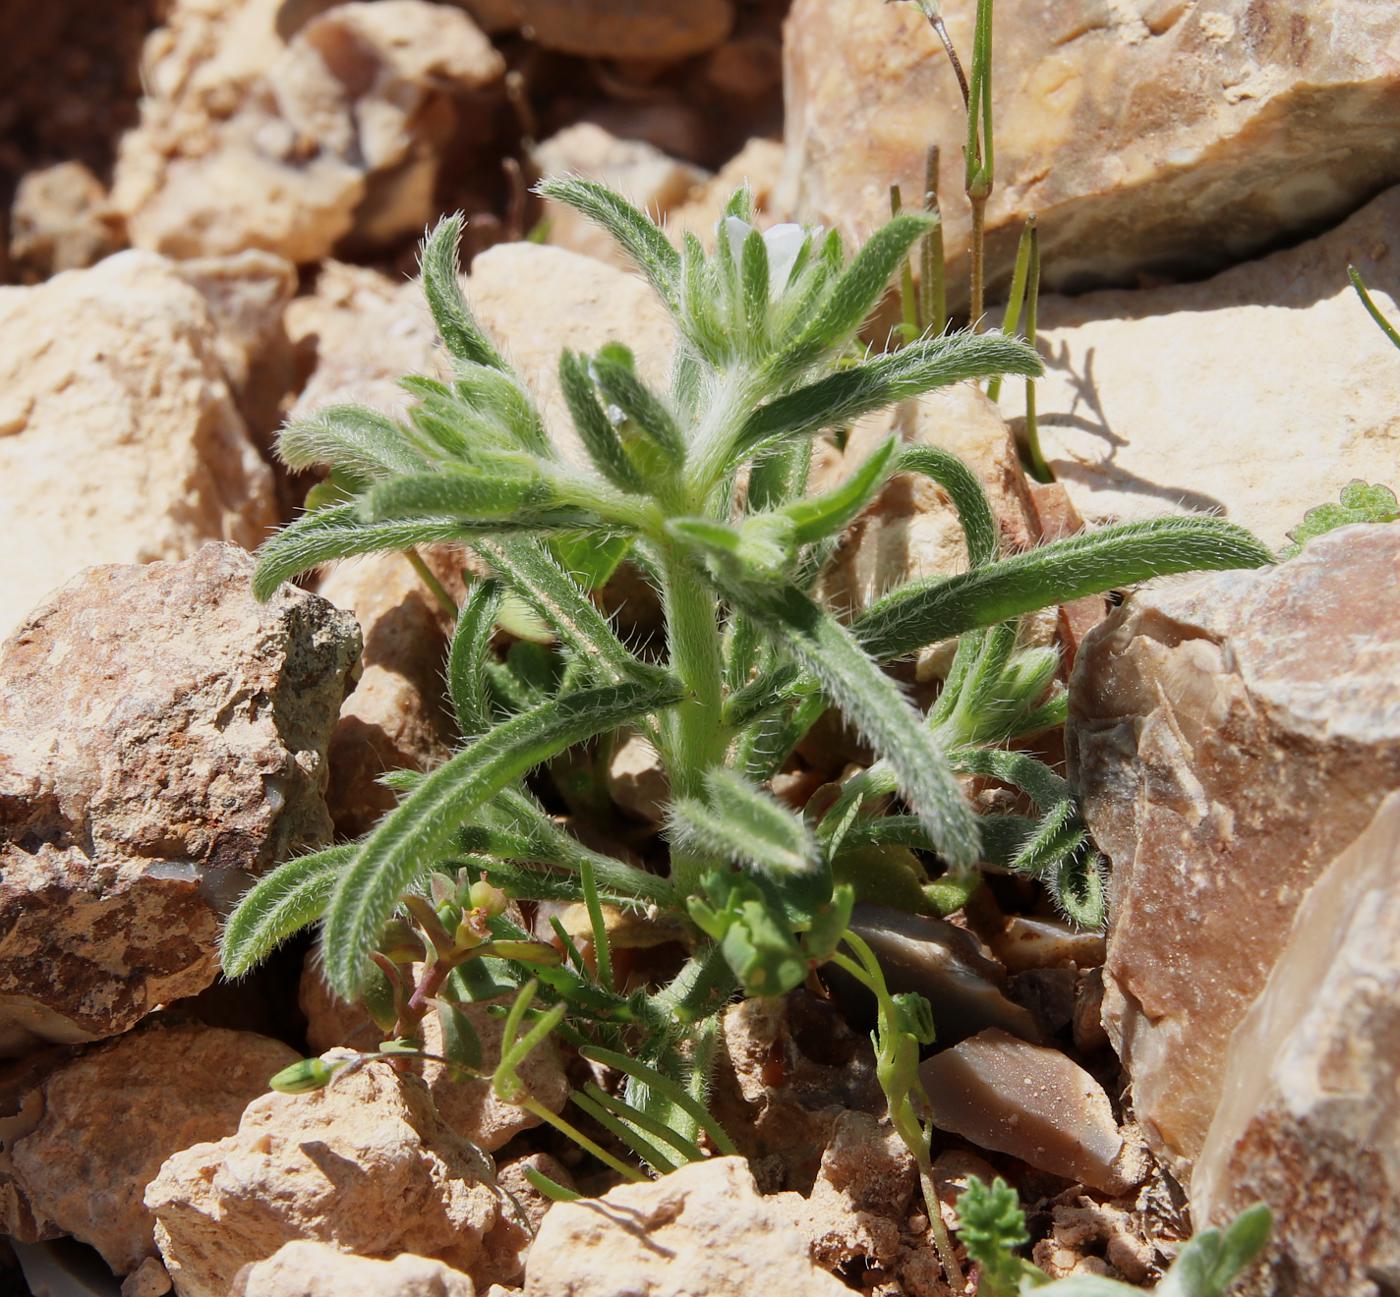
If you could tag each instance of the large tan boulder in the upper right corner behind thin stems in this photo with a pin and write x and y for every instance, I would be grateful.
(1151, 137)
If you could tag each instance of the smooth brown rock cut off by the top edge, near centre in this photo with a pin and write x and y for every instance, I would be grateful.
(629, 29)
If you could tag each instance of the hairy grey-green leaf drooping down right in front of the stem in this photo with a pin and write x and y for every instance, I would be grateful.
(873, 702)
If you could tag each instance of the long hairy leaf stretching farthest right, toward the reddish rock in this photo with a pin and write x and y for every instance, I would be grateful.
(925, 613)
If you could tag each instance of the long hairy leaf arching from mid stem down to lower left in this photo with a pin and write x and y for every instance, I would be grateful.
(416, 834)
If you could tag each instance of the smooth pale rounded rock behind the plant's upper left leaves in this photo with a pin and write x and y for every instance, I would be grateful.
(537, 300)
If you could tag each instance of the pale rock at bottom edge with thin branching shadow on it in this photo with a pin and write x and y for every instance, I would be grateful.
(703, 1229)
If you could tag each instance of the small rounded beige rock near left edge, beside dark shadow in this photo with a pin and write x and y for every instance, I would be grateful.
(61, 221)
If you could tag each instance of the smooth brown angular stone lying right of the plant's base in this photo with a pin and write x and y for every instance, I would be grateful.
(1031, 1102)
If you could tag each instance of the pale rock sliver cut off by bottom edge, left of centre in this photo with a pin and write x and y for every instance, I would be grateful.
(304, 1268)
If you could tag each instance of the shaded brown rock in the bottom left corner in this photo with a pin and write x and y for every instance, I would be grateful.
(108, 1118)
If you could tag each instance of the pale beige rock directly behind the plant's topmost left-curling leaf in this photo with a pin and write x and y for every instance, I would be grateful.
(639, 172)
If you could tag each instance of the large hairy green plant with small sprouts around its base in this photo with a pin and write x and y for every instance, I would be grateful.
(703, 487)
